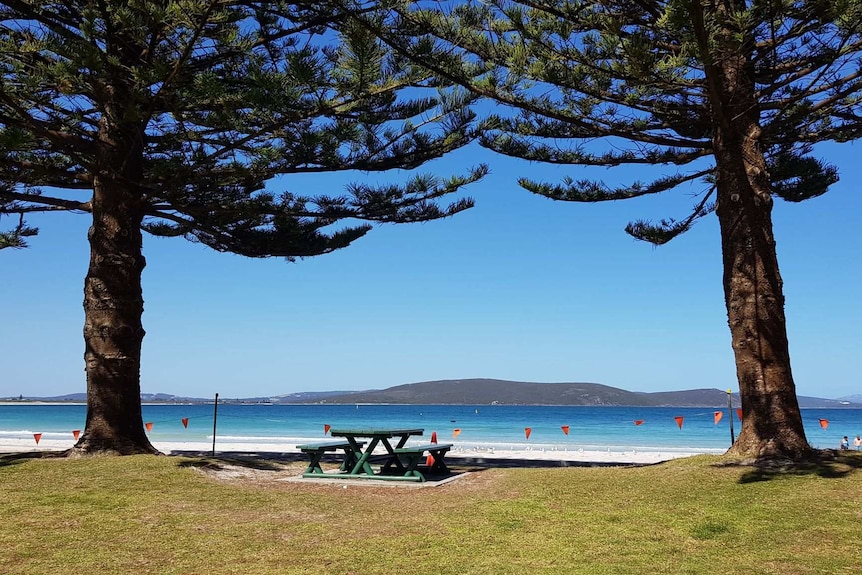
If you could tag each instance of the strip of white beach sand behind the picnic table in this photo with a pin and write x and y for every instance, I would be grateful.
(471, 454)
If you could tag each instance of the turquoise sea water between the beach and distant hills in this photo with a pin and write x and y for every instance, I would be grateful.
(481, 426)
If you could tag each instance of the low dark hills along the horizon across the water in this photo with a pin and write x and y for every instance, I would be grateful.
(489, 391)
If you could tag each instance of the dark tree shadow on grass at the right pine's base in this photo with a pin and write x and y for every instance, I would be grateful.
(828, 463)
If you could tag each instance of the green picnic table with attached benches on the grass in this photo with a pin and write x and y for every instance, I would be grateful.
(399, 461)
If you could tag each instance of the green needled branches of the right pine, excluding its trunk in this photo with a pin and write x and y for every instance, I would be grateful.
(605, 82)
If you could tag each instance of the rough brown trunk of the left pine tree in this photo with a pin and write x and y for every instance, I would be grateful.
(113, 301)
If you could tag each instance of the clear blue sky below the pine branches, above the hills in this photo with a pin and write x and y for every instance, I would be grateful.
(519, 288)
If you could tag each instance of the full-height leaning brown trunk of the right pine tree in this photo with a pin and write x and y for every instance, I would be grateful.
(753, 290)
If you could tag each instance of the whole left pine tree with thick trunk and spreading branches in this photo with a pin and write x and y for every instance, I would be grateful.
(172, 118)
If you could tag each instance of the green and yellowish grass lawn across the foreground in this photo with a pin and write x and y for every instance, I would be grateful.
(165, 515)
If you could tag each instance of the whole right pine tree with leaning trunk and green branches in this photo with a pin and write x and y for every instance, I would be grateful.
(737, 92)
